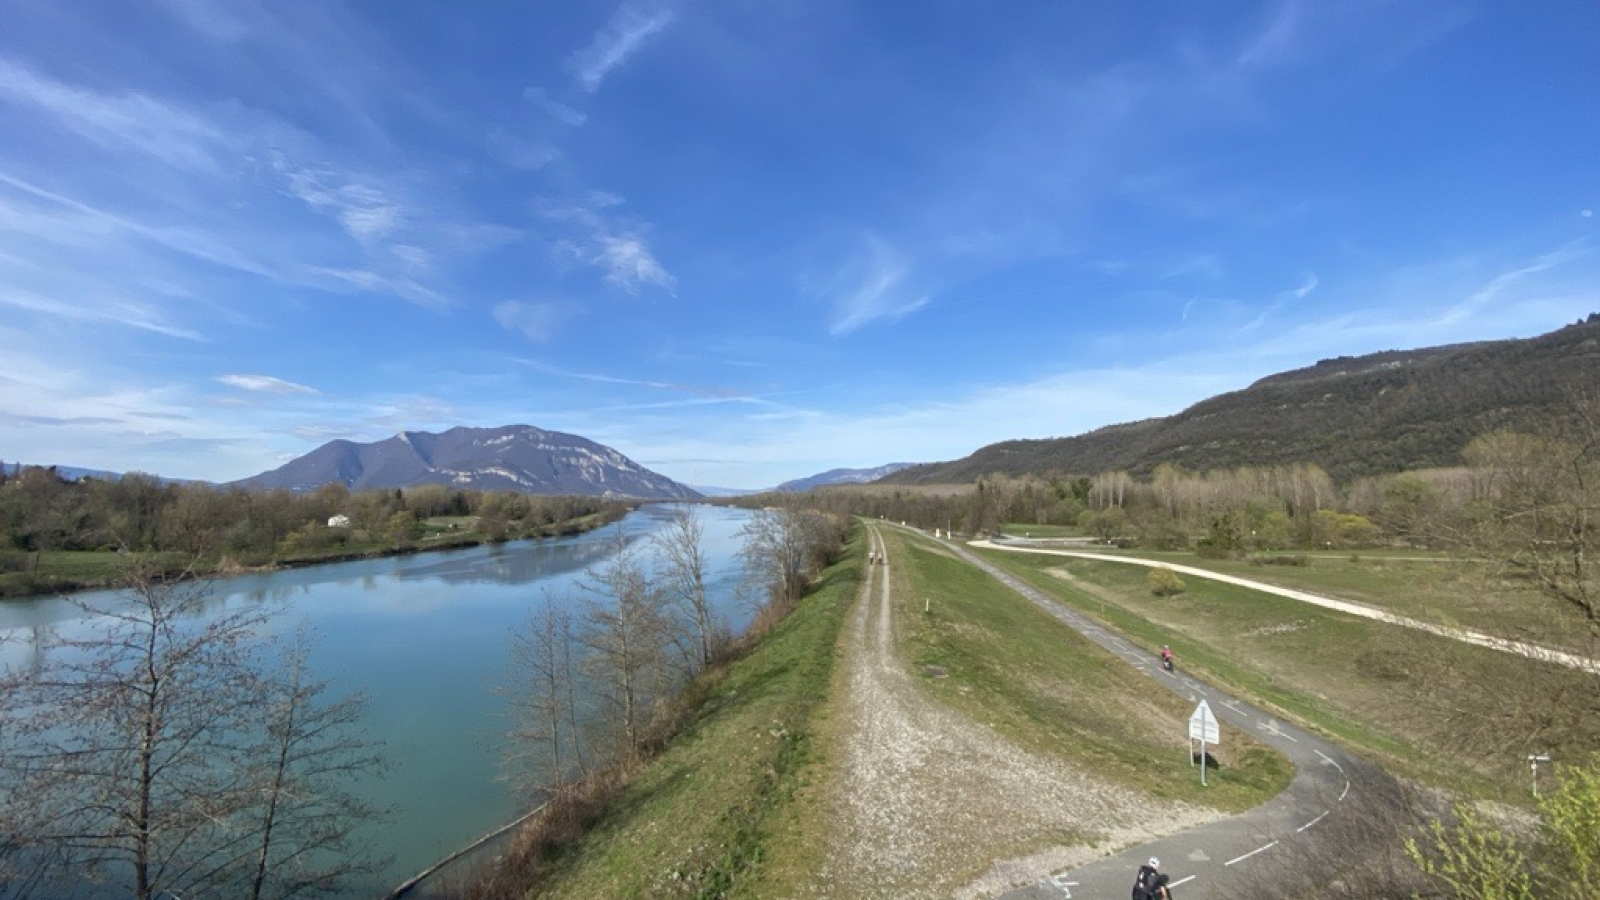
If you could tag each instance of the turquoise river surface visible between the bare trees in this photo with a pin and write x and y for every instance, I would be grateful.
(426, 638)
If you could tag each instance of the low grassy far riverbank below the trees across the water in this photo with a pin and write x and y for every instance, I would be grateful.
(70, 573)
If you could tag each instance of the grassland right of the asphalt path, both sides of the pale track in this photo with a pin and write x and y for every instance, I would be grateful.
(1425, 707)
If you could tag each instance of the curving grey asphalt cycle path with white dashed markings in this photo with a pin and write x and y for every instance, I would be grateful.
(1204, 861)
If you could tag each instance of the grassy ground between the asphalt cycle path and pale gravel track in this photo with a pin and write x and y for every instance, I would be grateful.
(1422, 705)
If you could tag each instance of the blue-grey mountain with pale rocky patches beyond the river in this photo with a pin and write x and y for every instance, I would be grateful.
(519, 459)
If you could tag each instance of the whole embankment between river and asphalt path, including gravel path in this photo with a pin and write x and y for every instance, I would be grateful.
(847, 757)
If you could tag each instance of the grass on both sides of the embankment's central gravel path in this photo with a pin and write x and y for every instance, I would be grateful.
(740, 805)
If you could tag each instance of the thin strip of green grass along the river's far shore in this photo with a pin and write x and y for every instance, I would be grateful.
(57, 573)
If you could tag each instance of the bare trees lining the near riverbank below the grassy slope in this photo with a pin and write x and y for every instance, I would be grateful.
(594, 673)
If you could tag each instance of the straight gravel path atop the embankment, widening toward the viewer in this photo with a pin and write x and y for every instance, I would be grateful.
(935, 805)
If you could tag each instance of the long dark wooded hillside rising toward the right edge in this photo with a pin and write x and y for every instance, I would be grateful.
(1353, 416)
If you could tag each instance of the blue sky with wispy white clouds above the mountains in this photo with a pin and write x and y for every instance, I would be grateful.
(751, 241)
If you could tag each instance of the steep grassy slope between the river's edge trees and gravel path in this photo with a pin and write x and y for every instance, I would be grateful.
(702, 819)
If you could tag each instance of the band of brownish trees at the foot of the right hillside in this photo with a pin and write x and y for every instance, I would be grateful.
(1530, 500)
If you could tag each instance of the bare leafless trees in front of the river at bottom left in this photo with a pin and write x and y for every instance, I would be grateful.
(156, 755)
